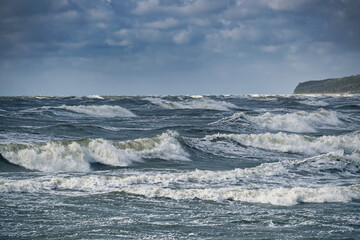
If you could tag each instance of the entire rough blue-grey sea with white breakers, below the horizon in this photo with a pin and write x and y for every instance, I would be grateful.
(180, 167)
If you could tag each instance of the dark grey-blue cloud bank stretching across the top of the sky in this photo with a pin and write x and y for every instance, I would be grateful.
(65, 27)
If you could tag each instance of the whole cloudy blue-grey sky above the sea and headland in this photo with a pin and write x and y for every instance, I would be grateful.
(145, 47)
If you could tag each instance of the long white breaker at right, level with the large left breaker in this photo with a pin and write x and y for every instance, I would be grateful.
(295, 143)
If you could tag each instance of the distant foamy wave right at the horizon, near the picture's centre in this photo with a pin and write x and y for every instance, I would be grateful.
(193, 103)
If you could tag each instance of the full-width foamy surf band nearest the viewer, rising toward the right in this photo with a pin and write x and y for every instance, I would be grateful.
(244, 185)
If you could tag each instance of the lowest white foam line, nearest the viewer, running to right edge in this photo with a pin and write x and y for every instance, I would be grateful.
(277, 196)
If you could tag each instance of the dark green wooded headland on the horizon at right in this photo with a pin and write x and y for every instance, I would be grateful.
(350, 84)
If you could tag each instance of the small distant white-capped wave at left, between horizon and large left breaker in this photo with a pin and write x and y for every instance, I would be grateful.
(100, 110)
